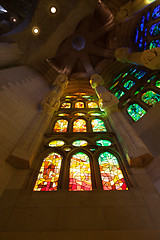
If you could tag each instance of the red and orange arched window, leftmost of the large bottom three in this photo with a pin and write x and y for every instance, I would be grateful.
(48, 176)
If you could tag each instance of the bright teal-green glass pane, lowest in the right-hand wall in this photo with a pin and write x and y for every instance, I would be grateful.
(135, 111)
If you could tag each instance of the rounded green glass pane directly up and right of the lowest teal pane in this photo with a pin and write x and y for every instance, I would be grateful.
(150, 98)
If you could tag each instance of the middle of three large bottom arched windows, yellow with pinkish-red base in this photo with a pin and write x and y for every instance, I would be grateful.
(80, 173)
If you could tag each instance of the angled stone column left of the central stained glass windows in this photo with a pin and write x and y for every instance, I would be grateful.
(27, 147)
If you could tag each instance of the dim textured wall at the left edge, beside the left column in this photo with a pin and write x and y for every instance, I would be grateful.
(21, 90)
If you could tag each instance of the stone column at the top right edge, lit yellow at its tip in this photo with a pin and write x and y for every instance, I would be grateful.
(131, 8)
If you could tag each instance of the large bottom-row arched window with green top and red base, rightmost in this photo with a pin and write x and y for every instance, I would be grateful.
(111, 174)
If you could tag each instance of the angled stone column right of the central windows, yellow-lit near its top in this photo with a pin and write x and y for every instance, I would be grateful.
(136, 152)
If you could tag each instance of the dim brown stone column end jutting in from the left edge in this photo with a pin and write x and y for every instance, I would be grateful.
(9, 54)
